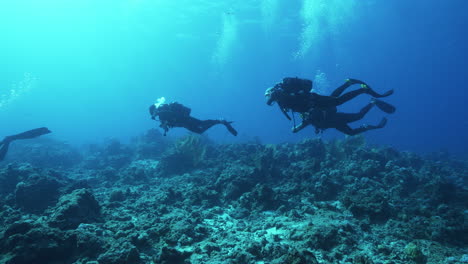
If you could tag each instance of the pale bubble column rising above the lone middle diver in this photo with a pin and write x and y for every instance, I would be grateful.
(227, 39)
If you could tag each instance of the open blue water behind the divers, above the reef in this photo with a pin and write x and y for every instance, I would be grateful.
(88, 70)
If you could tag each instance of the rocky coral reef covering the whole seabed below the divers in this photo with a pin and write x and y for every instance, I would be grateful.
(193, 201)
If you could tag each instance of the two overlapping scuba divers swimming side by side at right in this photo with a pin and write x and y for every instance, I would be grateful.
(293, 94)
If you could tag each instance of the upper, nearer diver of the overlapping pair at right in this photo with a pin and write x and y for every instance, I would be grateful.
(294, 94)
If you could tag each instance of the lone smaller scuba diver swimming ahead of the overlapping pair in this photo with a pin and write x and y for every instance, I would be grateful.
(177, 115)
